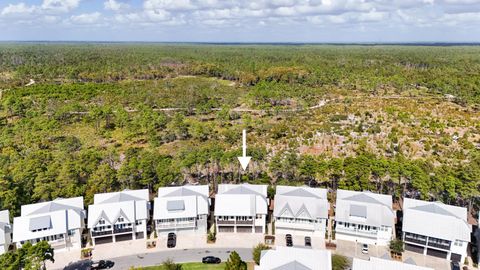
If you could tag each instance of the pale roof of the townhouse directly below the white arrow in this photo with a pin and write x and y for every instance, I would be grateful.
(241, 200)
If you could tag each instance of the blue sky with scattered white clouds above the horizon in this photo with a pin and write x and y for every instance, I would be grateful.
(241, 20)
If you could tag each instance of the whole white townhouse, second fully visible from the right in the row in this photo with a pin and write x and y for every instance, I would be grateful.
(364, 217)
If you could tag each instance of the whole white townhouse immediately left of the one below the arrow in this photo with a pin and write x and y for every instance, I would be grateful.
(181, 209)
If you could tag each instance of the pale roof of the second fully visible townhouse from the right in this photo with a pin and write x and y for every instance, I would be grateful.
(364, 208)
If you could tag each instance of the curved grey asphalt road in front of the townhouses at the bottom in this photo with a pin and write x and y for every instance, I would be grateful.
(183, 255)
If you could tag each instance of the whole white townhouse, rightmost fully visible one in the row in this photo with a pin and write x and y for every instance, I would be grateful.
(436, 229)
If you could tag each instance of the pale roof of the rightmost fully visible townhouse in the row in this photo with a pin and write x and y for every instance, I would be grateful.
(450, 221)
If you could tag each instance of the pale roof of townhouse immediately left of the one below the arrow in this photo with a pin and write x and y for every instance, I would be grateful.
(181, 202)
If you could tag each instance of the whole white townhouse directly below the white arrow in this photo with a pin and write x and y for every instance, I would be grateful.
(241, 208)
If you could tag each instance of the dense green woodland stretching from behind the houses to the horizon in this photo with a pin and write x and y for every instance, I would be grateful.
(402, 120)
